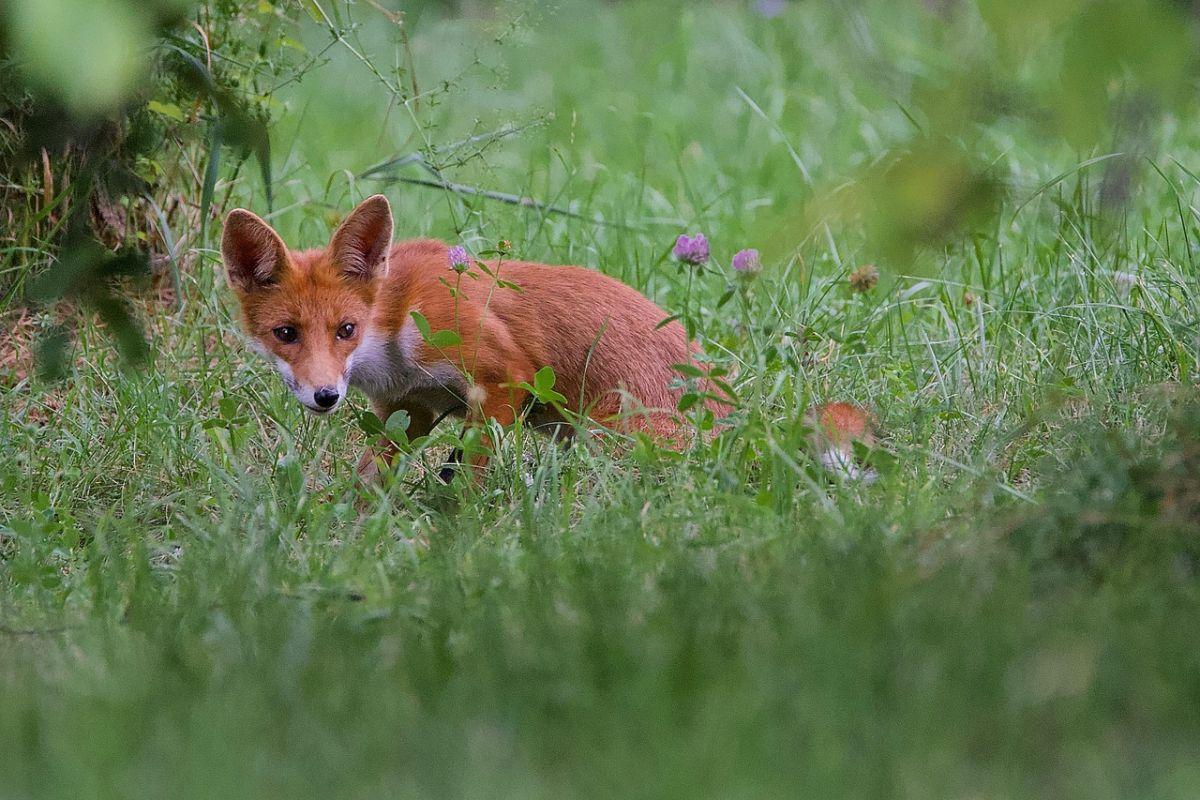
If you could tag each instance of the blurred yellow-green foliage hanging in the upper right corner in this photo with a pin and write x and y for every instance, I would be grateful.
(1119, 69)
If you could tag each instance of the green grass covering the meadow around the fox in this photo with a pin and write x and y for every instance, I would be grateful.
(196, 600)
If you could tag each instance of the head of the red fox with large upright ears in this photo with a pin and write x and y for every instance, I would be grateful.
(309, 310)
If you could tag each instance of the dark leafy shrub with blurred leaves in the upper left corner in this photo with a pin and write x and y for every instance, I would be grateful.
(95, 98)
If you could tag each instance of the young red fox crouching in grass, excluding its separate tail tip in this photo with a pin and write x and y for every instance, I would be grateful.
(351, 316)
